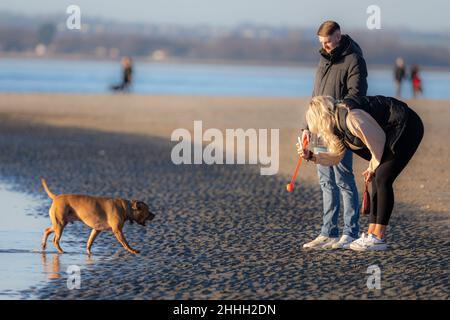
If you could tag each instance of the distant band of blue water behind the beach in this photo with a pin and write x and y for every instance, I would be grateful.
(84, 76)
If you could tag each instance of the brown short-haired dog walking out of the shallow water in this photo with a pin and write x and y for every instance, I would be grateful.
(100, 214)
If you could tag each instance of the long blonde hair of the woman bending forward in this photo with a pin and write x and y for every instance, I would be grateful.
(321, 120)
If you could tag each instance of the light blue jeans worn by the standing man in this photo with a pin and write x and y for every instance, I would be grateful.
(334, 181)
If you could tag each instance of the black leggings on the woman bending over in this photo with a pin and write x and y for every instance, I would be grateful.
(391, 165)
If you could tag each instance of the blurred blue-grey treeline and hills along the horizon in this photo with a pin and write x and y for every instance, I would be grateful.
(244, 43)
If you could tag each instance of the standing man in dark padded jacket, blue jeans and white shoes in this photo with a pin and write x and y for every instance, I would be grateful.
(341, 73)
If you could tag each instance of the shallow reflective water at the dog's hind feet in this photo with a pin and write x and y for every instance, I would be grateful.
(22, 263)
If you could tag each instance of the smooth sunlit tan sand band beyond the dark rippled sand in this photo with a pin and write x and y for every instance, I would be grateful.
(424, 183)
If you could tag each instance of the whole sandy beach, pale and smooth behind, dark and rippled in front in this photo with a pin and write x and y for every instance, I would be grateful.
(221, 231)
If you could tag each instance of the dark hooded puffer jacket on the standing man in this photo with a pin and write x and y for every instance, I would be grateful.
(343, 73)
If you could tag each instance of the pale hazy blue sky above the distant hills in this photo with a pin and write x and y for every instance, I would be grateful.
(430, 15)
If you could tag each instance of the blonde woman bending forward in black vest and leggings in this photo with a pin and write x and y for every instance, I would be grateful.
(382, 130)
